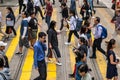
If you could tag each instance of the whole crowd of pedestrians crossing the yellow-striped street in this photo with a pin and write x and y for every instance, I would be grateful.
(28, 10)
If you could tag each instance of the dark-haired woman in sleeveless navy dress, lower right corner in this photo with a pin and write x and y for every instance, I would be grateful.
(112, 61)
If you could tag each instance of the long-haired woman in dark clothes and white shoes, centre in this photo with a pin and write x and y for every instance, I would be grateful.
(53, 42)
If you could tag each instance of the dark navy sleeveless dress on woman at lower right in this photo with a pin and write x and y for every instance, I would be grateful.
(111, 69)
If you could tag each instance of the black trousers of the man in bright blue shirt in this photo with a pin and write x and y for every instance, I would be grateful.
(42, 70)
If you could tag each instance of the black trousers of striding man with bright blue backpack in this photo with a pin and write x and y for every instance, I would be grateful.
(97, 44)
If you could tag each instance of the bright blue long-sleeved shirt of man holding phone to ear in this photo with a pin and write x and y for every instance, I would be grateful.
(39, 52)
